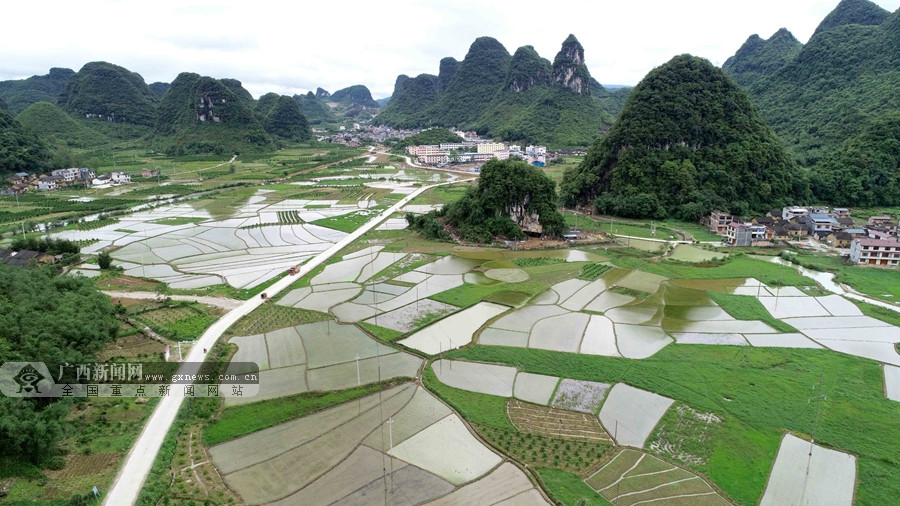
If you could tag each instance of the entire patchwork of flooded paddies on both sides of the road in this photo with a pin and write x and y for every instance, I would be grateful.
(412, 371)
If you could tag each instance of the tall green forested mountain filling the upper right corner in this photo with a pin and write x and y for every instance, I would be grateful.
(844, 78)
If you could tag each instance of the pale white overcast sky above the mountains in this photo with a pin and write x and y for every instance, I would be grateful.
(293, 47)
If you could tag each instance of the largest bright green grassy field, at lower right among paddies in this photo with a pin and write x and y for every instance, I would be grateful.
(767, 392)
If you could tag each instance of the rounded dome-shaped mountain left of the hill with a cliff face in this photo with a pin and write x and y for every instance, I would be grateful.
(111, 93)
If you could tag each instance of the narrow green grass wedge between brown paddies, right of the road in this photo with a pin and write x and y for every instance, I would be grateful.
(241, 420)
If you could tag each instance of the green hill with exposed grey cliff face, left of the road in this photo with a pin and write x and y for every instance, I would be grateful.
(200, 114)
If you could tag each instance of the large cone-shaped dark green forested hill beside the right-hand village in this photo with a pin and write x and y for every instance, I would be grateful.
(688, 141)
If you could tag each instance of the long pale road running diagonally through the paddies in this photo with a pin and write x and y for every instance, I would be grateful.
(133, 473)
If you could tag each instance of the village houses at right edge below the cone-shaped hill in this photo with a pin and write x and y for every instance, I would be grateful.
(874, 242)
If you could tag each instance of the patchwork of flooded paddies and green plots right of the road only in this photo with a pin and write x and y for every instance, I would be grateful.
(679, 394)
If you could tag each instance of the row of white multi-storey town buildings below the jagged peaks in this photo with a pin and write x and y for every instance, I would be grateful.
(469, 151)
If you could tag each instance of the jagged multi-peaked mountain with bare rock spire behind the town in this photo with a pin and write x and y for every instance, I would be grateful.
(522, 97)
